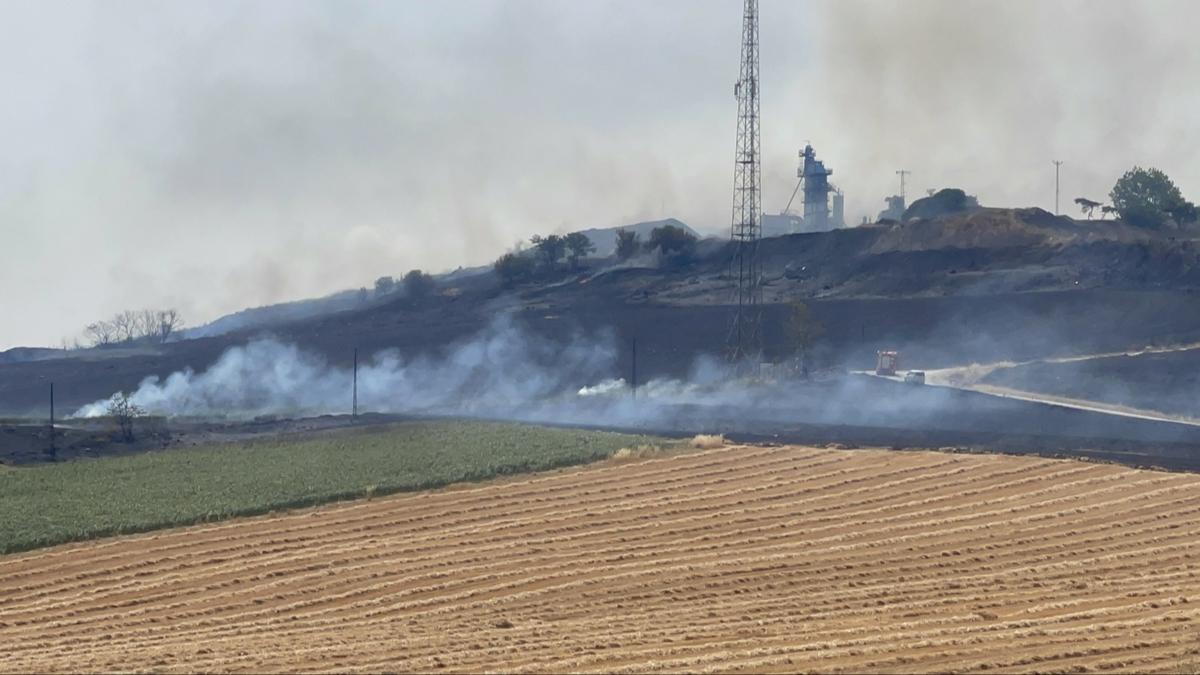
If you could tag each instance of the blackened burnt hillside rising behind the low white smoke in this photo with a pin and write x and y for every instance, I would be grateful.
(983, 286)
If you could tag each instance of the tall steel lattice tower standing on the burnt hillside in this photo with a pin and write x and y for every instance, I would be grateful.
(746, 338)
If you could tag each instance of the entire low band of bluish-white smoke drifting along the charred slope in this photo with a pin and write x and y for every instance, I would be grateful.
(507, 373)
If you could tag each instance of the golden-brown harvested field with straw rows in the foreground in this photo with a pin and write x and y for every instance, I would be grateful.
(737, 559)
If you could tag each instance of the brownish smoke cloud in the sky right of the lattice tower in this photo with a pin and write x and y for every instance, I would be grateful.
(983, 95)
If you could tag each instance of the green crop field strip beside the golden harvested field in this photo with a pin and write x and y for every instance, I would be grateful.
(49, 505)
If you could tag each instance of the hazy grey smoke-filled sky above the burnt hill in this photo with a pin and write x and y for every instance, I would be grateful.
(212, 157)
